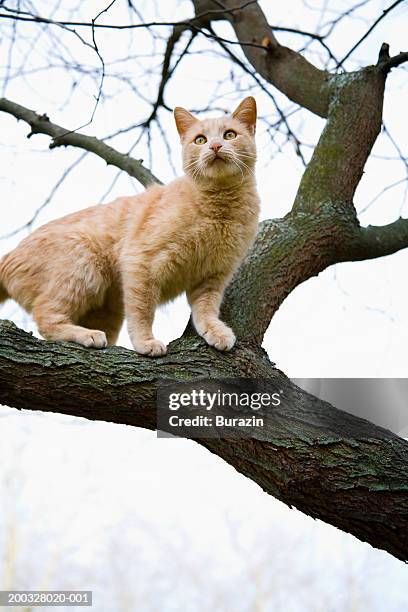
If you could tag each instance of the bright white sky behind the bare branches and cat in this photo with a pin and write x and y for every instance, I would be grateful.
(352, 320)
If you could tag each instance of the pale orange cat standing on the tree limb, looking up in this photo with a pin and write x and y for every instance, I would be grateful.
(81, 275)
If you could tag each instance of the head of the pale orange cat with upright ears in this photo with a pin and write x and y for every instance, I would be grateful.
(220, 149)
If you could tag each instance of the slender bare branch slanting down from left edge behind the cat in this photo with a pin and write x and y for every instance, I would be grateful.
(40, 124)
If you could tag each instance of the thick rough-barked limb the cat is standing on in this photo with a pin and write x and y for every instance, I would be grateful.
(327, 463)
